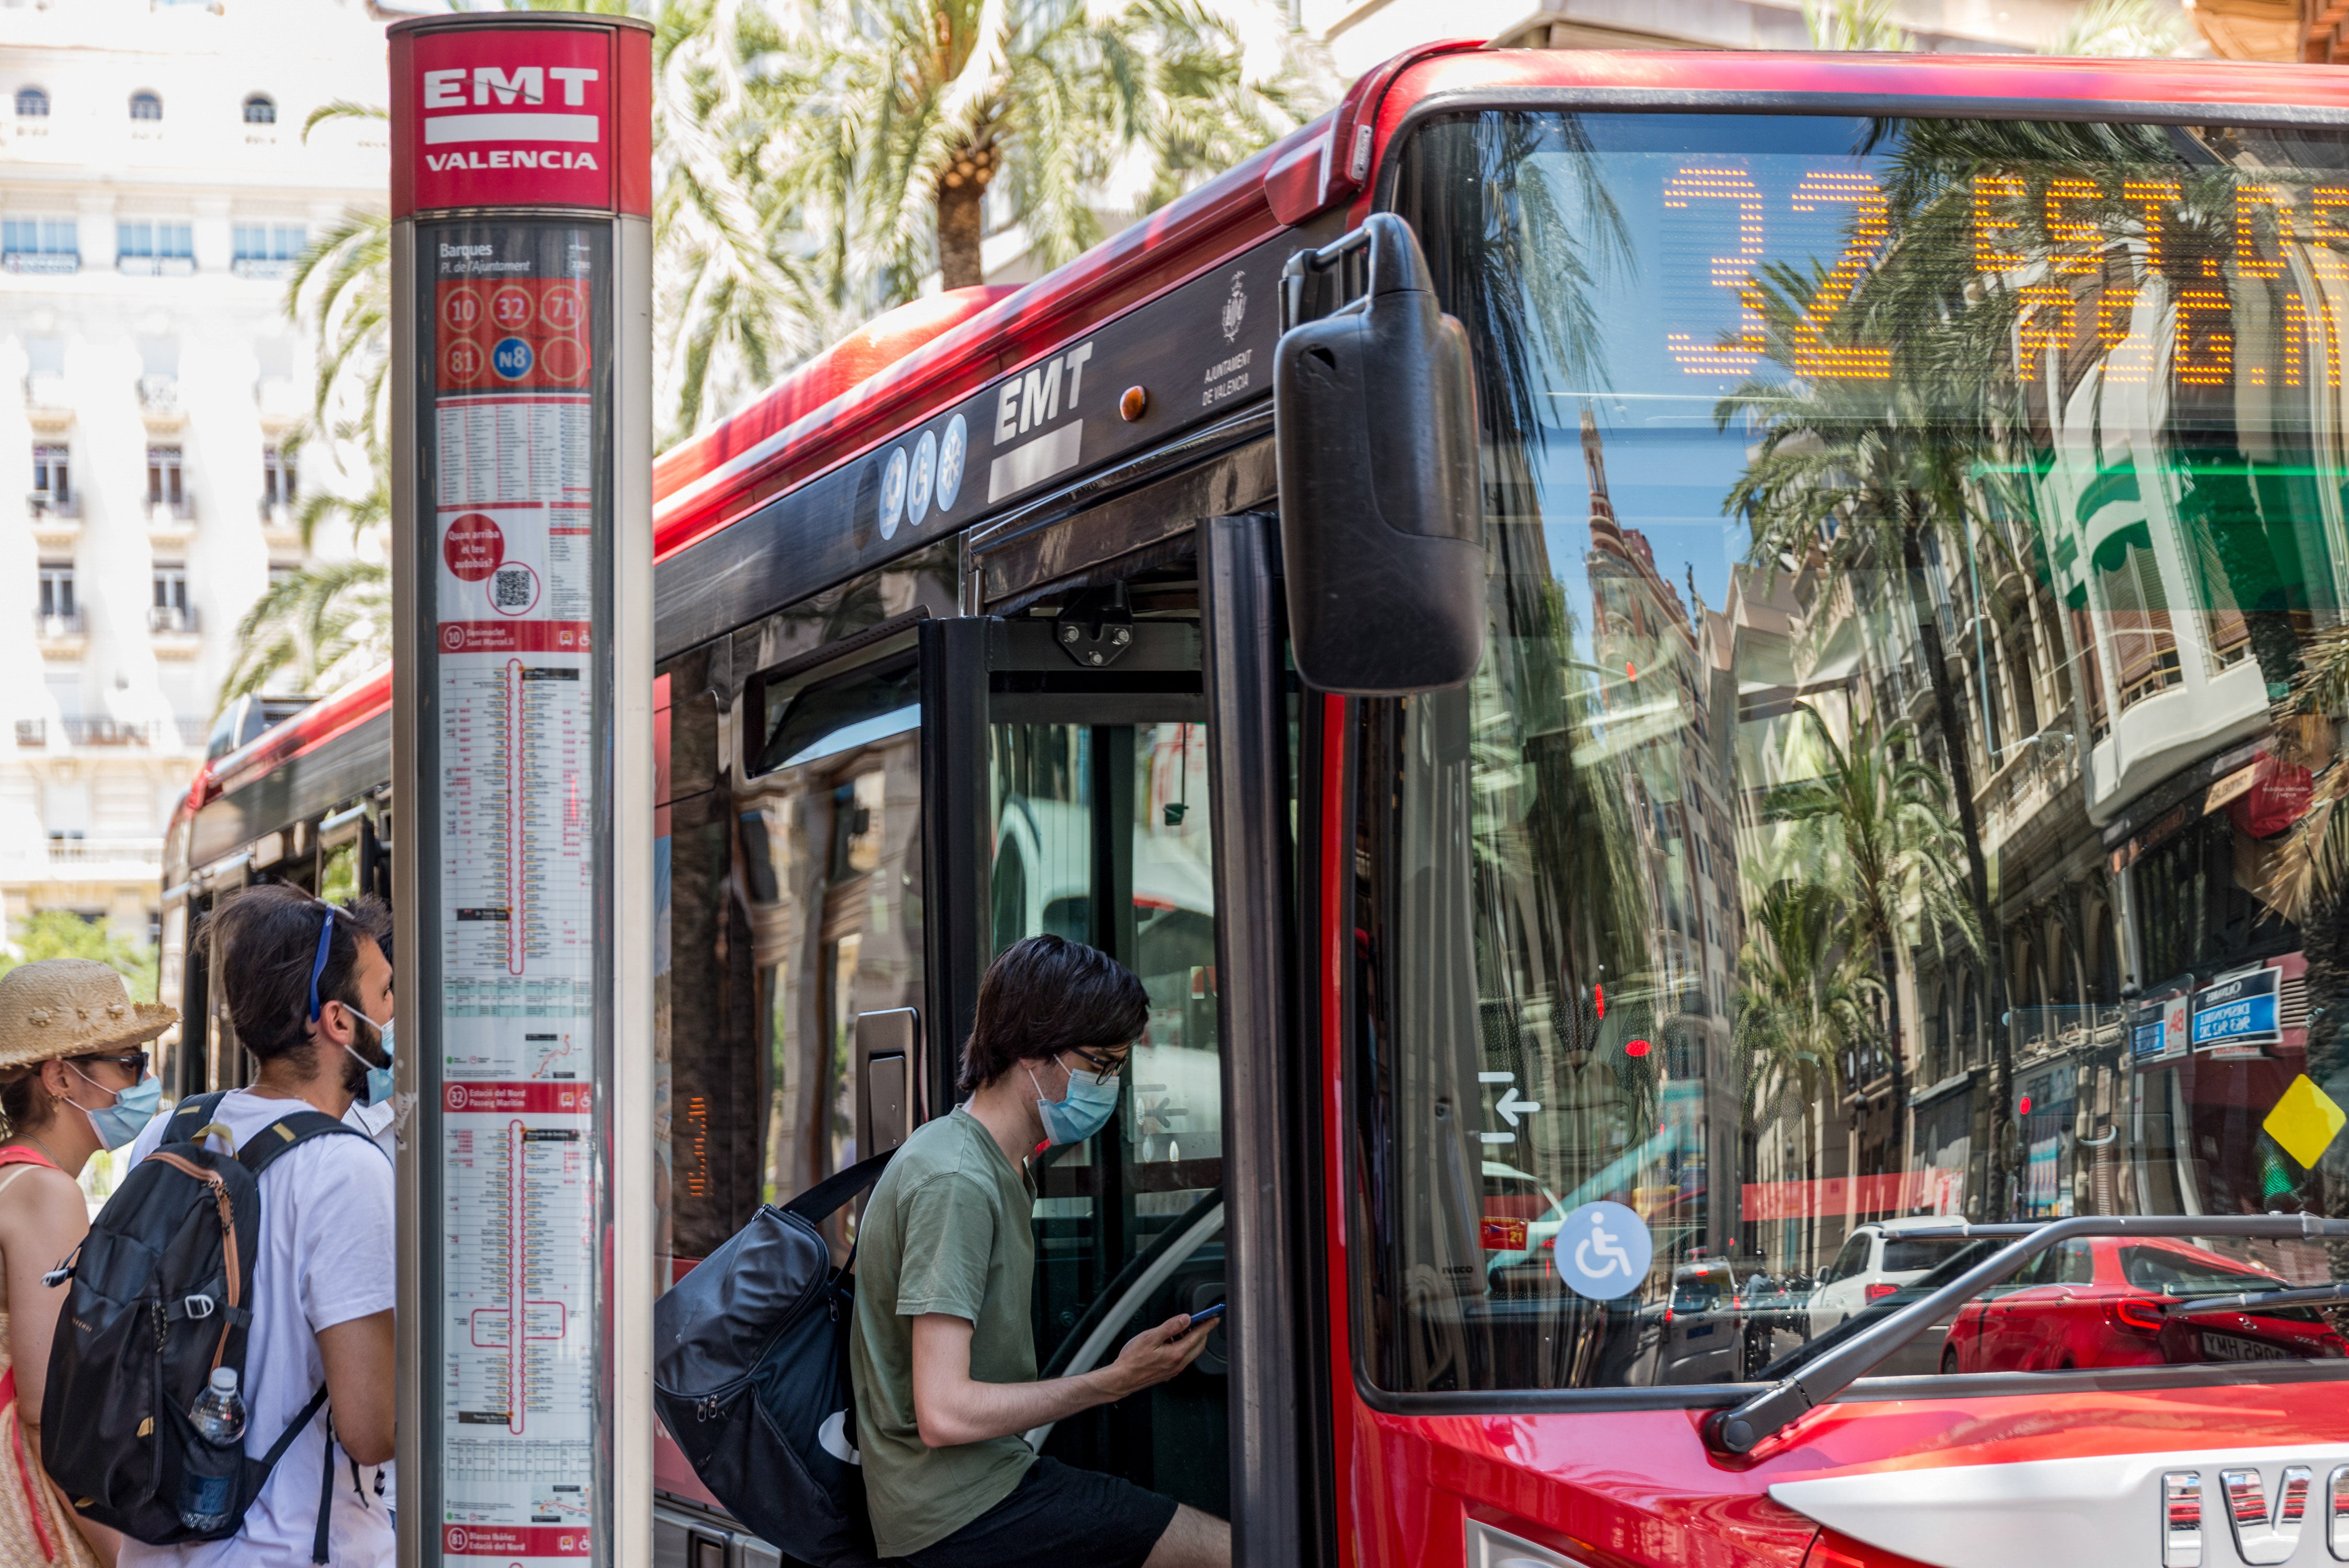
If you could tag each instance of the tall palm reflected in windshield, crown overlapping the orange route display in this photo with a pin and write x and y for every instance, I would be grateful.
(1941, 454)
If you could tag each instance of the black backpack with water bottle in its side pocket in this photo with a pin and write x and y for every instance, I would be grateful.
(161, 1290)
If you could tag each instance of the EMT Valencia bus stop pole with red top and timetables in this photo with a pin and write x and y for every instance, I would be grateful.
(523, 788)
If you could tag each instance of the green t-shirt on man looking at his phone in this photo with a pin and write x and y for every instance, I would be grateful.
(948, 1231)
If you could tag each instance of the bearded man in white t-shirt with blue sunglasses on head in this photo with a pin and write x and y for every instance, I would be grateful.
(311, 996)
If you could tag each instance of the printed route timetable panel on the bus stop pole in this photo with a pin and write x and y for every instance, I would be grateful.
(513, 417)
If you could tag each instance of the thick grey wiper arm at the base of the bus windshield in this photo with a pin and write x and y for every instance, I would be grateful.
(1782, 1405)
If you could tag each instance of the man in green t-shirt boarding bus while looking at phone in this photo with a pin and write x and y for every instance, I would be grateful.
(943, 1353)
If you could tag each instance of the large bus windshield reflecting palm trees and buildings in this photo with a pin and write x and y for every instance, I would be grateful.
(1902, 778)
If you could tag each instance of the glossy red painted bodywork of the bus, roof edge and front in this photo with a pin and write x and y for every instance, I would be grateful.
(1601, 1487)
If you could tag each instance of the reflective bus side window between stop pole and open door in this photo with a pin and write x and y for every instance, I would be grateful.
(793, 853)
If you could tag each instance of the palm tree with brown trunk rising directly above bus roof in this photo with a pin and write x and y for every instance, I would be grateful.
(891, 121)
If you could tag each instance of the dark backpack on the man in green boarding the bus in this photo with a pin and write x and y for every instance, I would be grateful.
(751, 1377)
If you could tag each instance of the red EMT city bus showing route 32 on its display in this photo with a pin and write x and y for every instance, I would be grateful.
(1824, 1050)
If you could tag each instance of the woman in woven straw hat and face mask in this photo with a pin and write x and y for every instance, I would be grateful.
(74, 1079)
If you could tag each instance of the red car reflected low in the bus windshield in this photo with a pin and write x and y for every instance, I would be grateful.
(2111, 1302)
